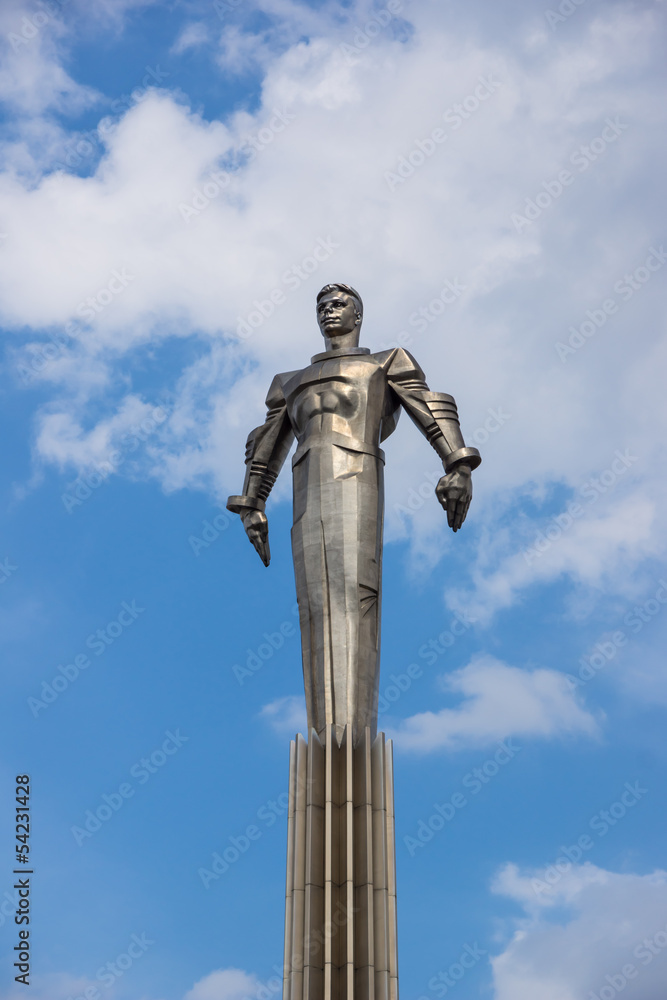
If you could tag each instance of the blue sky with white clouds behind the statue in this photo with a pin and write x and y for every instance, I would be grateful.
(490, 177)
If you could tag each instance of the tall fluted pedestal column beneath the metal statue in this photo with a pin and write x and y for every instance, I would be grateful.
(340, 911)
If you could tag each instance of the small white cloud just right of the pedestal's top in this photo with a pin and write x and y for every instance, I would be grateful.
(499, 701)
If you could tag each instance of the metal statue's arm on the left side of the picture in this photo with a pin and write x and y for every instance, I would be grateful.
(267, 448)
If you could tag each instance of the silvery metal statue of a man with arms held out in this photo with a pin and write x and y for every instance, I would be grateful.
(340, 408)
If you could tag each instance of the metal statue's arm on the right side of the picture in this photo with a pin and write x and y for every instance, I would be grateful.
(436, 416)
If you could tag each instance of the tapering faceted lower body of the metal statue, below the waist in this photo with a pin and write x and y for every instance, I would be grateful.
(337, 548)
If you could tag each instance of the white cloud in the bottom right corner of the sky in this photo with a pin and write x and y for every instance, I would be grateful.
(610, 932)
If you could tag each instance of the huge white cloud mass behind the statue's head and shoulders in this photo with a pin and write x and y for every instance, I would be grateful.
(323, 176)
